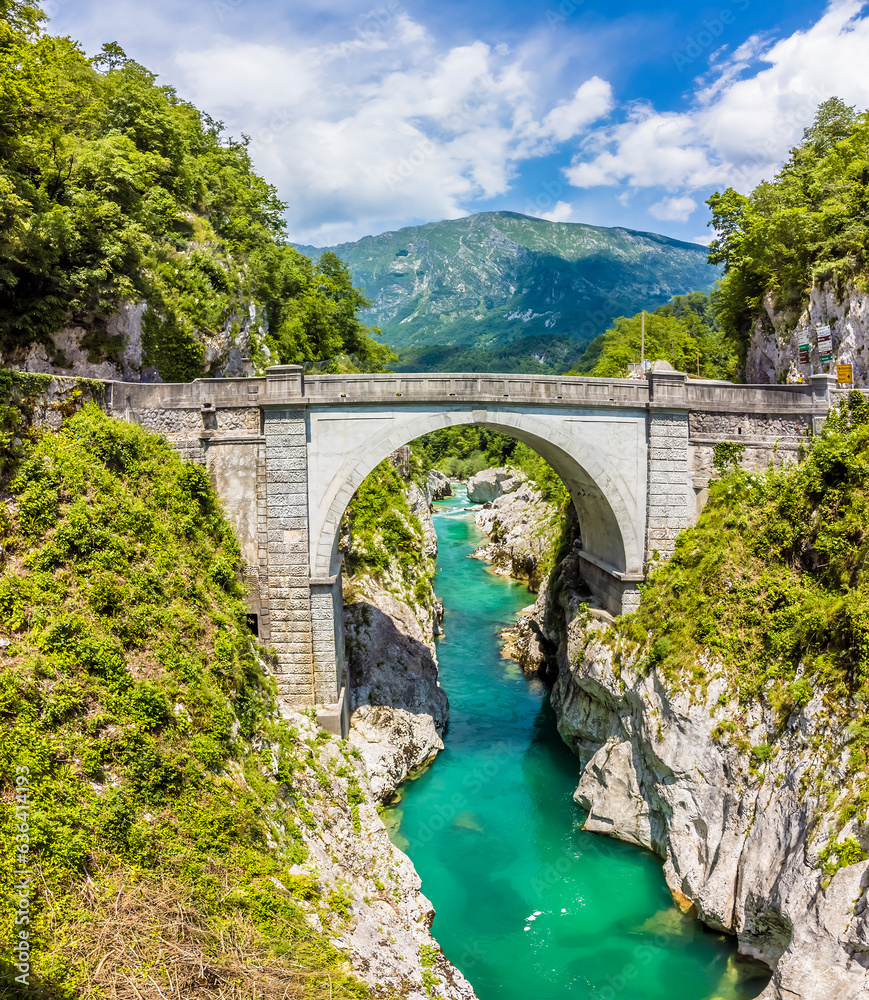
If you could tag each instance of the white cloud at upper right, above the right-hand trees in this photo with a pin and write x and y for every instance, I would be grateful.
(739, 128)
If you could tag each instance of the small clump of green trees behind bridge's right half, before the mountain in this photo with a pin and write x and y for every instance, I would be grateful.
(685, 332)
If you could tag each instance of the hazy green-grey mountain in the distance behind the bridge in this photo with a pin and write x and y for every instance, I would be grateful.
(491, 279)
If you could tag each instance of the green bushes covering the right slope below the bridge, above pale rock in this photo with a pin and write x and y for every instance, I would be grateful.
(773, 583)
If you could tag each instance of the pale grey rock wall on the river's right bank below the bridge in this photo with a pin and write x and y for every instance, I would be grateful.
(677, 771)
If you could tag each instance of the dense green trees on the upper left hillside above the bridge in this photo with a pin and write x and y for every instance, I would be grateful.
(115, 190)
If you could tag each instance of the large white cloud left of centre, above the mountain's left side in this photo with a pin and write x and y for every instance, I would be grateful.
(384, 126)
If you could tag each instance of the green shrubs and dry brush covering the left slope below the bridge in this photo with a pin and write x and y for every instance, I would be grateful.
(164, 793)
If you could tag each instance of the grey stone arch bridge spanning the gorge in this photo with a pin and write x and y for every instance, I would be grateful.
(286, 452)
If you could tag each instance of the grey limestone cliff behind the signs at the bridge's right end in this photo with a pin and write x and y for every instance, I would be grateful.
(776, 336)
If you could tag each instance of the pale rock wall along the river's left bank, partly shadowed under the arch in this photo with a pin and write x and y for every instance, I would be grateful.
(398, 715)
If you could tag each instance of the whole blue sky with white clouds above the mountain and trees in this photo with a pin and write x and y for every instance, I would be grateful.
(372, 117)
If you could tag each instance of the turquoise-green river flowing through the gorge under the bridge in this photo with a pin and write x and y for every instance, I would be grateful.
(528, 905)
